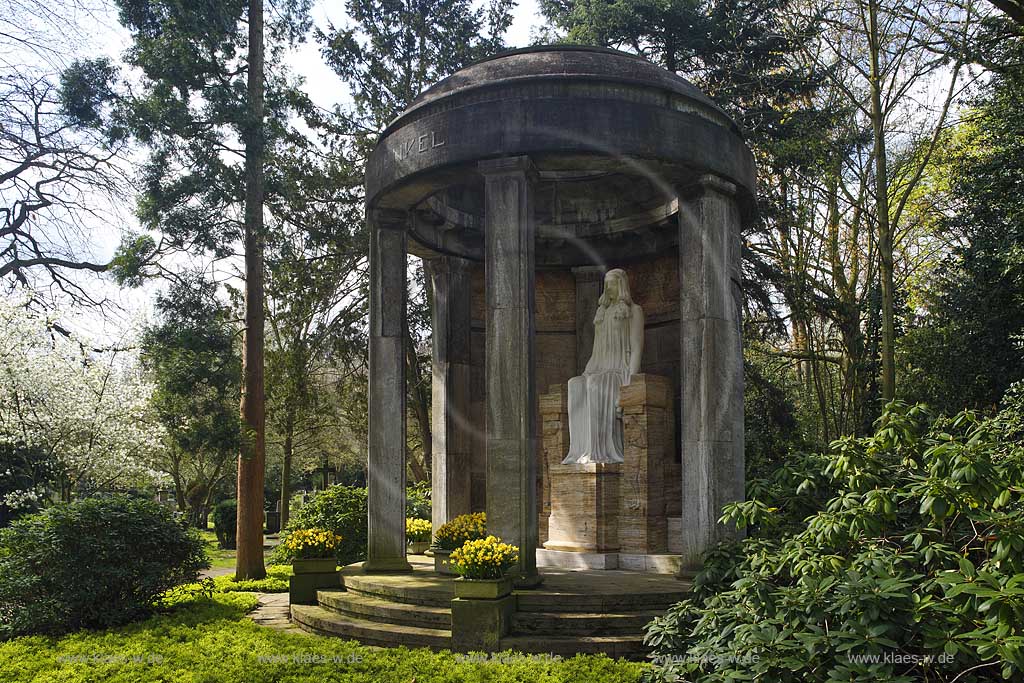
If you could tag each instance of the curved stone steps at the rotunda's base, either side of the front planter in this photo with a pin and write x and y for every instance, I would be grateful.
(573, 612)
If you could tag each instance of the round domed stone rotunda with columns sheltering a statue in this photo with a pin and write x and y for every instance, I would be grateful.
(522, 182)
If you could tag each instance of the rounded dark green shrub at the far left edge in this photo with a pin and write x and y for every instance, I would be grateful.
(93, 564)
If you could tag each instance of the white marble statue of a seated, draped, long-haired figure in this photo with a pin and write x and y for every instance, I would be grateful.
(595, 419)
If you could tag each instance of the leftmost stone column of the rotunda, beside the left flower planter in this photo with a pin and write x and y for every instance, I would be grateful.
(387, 454)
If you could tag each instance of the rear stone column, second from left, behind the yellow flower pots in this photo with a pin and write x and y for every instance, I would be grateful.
(451, 389)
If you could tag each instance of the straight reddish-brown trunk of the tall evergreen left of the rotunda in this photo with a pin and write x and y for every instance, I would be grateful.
(249, 562)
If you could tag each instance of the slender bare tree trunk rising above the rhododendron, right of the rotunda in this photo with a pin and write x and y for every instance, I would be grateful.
(882, 210)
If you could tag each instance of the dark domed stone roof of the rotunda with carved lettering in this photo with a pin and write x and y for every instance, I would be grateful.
(614, 139)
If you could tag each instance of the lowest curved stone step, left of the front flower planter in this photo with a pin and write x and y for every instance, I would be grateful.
(327, 623)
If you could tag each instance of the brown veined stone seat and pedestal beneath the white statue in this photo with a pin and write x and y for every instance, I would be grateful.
(606, 513)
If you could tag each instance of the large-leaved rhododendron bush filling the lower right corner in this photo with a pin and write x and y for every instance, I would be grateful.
(912, 571)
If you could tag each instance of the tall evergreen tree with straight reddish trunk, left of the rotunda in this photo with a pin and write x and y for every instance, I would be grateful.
(212, 120)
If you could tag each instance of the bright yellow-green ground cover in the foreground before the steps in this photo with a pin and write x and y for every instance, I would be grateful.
(209, 641)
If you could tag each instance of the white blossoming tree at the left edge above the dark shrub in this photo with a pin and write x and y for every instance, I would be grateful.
(88, 410)
